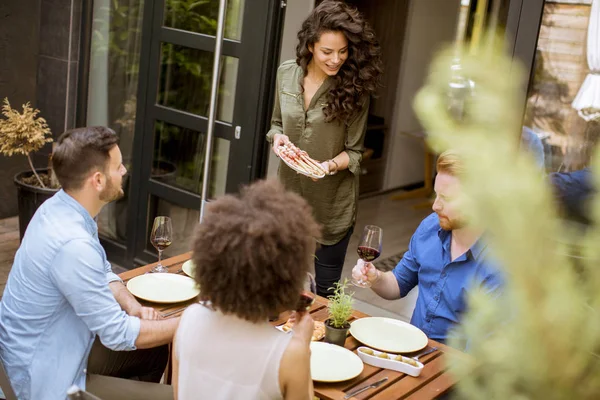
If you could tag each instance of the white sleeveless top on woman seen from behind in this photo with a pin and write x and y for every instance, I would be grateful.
(224, 357)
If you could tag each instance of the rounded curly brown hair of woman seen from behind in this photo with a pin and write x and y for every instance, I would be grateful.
(252, 251)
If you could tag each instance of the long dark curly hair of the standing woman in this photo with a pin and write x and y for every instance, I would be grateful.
(360, 75)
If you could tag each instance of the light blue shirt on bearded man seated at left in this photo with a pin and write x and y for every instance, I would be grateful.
(57, 300)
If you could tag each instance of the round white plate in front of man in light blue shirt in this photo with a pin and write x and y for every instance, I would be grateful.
(163, 287)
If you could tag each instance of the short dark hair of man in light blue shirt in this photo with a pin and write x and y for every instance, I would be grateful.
(81, 151)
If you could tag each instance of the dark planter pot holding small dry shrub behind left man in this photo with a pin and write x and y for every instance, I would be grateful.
(29, 198)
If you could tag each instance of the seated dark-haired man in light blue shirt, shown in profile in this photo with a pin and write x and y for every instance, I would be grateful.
(62, 295)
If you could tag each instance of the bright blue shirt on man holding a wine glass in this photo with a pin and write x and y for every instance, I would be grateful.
(443, 283)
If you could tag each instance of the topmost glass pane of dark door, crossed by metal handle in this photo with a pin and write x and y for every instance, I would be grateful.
(201, 16)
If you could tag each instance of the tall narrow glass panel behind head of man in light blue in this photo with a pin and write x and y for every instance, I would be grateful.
(112, 87)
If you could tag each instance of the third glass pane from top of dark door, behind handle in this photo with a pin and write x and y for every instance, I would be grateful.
(179, 159)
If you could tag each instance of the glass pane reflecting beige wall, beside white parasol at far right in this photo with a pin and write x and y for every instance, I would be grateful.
(560, 69)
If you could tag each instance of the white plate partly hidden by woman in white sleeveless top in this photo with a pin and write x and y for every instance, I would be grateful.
(331, 363)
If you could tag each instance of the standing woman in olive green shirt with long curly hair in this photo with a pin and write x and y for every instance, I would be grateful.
(321, 106)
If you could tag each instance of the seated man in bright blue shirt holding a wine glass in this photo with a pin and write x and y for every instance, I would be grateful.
(446, 258)
